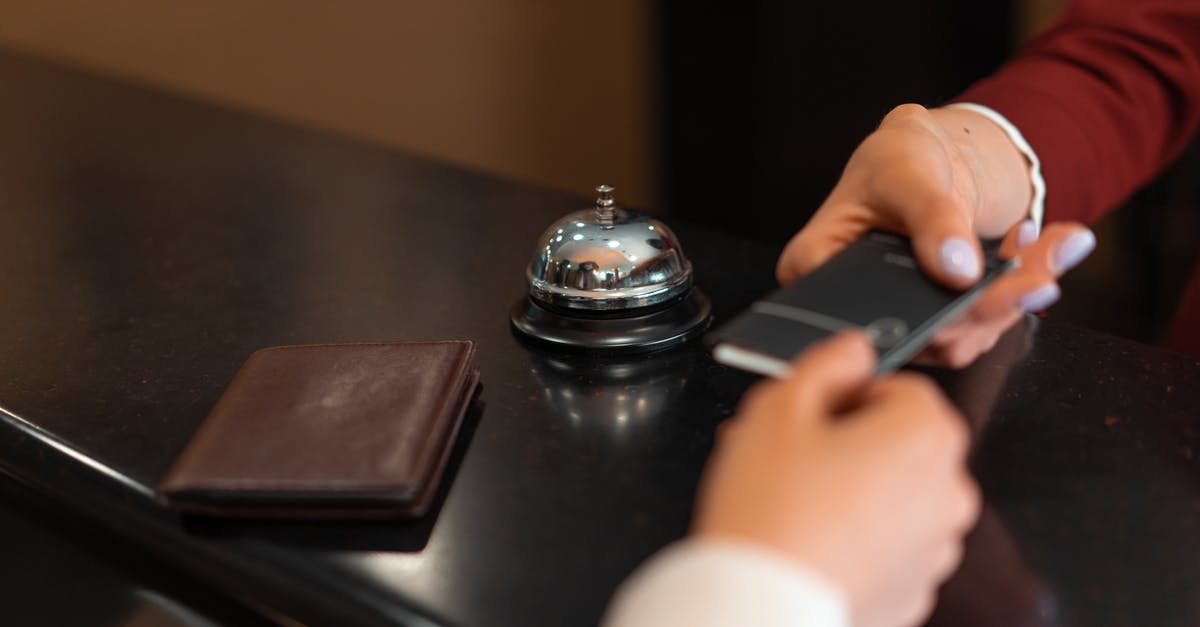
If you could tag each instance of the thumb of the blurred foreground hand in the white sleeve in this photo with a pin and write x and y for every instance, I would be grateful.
(831, 374)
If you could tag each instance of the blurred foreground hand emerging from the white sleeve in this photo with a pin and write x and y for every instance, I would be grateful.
(863, 481)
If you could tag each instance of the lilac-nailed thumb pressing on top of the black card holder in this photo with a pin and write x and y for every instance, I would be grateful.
(944, 242)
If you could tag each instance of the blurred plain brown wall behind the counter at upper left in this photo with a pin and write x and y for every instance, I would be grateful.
(547, 92)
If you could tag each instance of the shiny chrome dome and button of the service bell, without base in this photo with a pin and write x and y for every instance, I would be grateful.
(608, 259)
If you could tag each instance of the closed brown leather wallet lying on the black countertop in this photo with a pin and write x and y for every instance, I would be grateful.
(340, 431)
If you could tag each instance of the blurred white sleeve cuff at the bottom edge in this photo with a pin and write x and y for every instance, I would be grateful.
(698, 583)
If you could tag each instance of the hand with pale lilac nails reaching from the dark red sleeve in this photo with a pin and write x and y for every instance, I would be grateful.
(945, 177)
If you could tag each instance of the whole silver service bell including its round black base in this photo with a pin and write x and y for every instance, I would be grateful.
(610, 279)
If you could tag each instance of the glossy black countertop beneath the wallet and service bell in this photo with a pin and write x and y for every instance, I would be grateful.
(152, 243)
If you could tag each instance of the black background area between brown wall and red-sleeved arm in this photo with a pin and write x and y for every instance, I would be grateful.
(767, 101)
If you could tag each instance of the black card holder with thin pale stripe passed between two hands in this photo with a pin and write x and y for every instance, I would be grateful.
(874, 284)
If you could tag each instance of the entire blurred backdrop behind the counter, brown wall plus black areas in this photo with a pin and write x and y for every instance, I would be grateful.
(736, 115)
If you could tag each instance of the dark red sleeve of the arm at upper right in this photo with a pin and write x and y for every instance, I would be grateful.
(1107, 97)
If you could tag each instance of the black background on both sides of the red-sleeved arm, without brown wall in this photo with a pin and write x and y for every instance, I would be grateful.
(766, 101)
